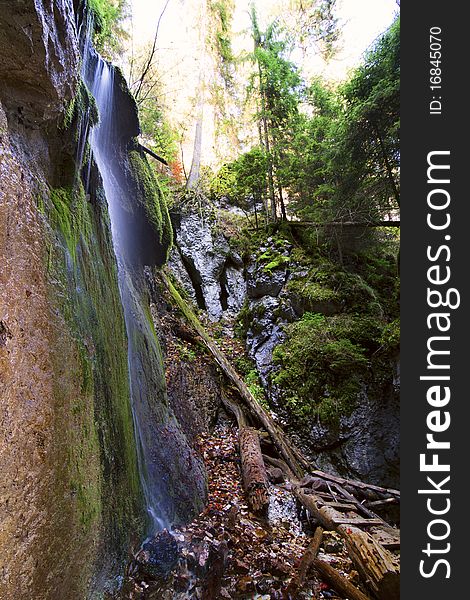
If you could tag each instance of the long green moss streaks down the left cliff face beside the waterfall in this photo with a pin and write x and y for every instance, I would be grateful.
(100, 473)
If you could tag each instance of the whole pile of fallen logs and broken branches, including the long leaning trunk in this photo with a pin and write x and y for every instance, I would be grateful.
(334, 503)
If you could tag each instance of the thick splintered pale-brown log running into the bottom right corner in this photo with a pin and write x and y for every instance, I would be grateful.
(378, 567)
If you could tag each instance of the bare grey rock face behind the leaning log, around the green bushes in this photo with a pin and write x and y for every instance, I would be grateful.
(365, 445)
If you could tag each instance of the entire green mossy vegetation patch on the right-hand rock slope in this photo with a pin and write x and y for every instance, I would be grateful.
(349, 344)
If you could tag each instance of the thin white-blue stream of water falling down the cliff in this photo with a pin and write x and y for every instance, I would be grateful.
(99, 77)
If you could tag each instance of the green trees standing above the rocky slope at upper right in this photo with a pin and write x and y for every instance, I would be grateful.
(325, 154)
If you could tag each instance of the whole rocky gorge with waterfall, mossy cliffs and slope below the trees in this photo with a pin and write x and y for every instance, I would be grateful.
(115, 311)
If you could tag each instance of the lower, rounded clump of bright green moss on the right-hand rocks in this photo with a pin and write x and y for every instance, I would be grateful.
(325, 361)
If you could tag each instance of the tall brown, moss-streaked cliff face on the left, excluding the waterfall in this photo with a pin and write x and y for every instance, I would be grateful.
(71, 497)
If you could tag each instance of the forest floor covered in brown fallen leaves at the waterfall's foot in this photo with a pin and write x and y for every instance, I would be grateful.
(227, 551)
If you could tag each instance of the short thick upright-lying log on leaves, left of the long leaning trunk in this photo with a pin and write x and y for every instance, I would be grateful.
(255, 479)
